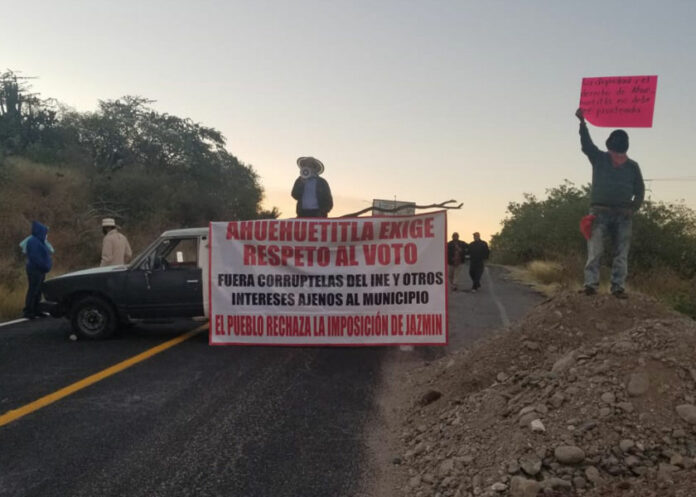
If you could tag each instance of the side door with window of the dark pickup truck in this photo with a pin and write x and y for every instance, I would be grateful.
(168, 283)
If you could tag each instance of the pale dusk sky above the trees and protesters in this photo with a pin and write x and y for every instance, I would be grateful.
(408, 100)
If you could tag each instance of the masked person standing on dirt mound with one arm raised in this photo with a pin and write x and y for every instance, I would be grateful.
(618, 191)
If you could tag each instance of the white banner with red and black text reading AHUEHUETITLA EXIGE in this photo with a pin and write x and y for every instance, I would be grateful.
(354, 281)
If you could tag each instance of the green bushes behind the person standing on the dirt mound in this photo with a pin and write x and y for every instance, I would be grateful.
(662, 260)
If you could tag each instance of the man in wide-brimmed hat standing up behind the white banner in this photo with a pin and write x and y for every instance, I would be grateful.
(312, 192)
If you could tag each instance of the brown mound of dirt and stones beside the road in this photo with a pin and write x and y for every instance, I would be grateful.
(585, 396)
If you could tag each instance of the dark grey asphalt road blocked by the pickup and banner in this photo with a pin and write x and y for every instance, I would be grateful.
(196, 420)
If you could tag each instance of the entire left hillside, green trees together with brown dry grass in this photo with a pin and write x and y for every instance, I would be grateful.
(150, 170)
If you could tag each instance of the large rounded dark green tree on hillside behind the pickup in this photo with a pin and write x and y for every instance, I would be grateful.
(151, 163)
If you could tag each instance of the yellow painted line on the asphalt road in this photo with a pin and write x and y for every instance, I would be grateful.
(15, 414)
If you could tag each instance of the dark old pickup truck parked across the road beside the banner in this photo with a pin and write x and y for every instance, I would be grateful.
(168, 279)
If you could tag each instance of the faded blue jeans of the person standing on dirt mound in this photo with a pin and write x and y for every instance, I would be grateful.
(616, 225)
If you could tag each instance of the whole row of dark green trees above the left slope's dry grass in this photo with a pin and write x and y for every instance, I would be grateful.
(140, 163)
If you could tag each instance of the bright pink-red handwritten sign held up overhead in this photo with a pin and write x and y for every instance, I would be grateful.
(619, 101)
